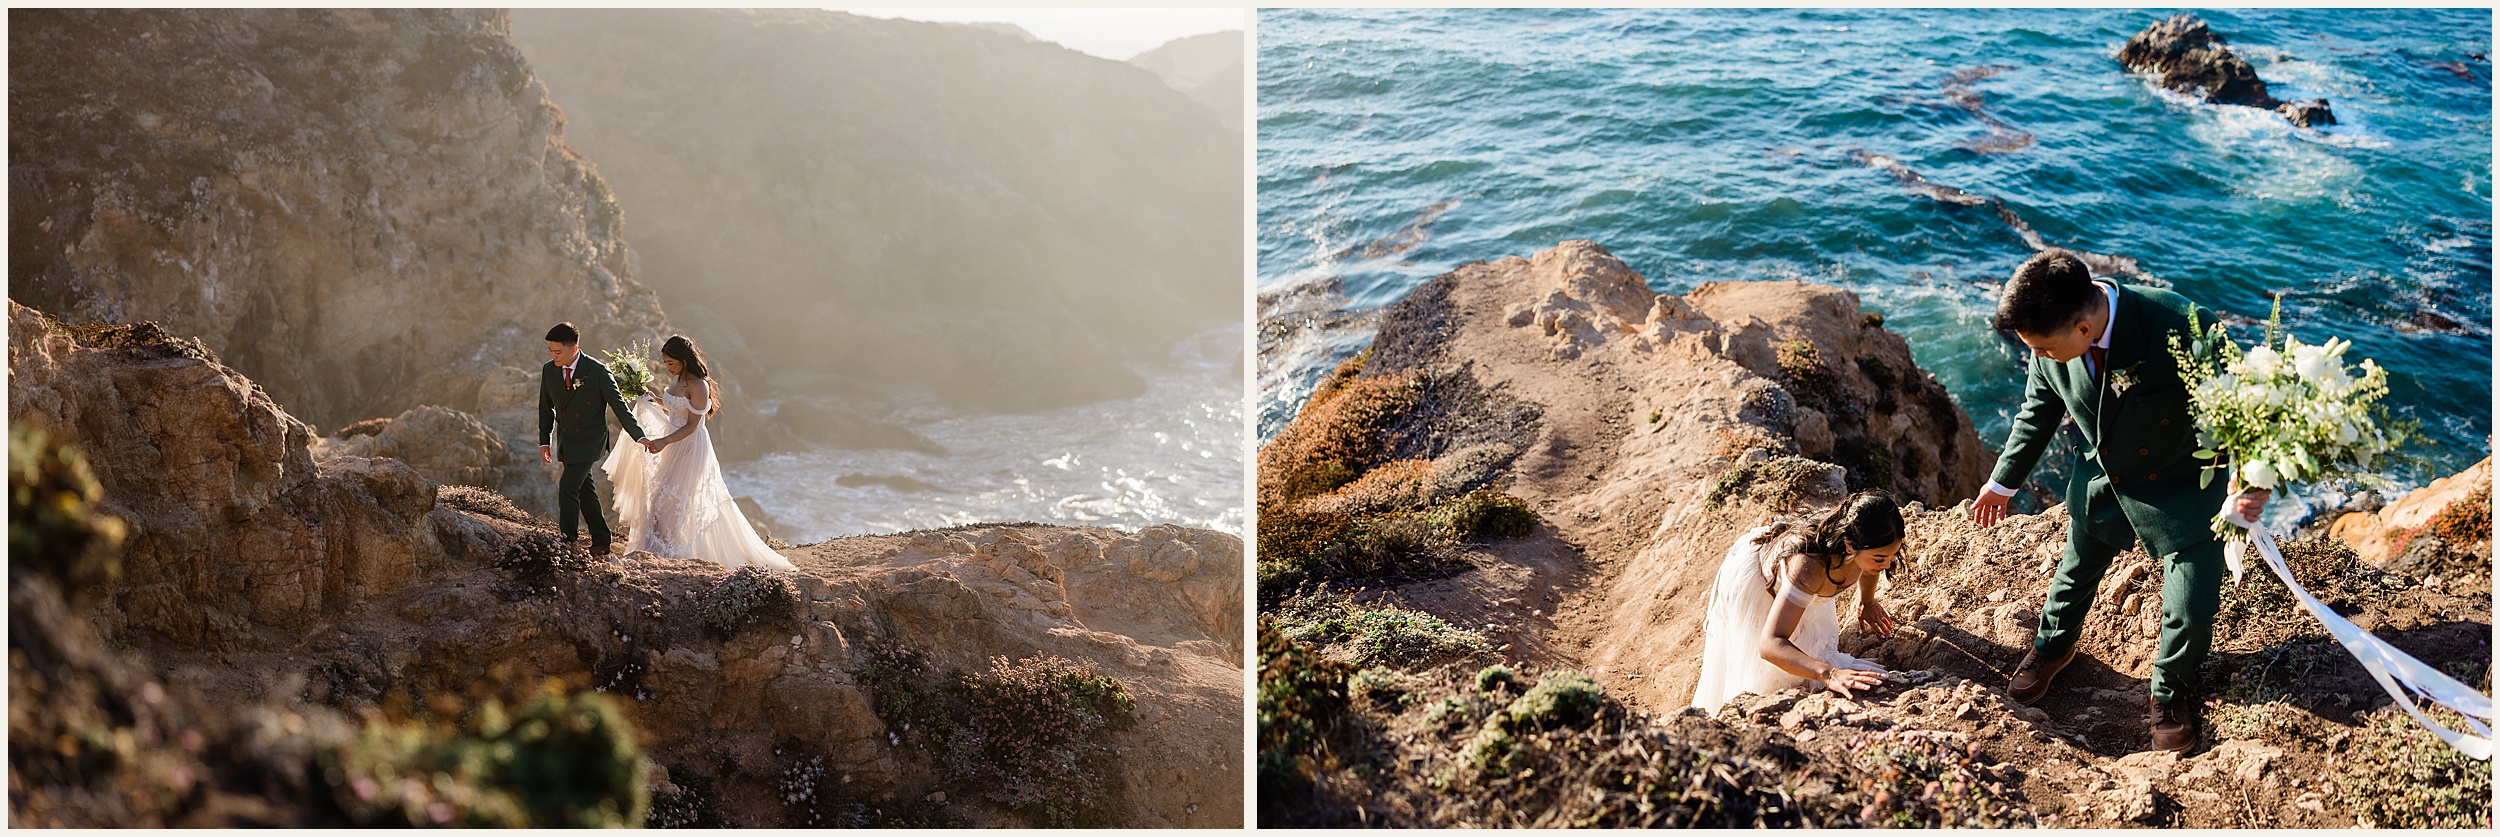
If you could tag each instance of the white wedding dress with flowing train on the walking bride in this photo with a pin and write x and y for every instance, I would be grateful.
(674, 503)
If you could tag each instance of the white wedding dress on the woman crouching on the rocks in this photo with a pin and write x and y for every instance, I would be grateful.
(1734, 631)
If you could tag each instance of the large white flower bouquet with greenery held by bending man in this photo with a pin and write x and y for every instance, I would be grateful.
(2284, 414)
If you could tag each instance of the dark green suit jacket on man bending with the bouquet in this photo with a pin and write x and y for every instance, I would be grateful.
(2136, 426)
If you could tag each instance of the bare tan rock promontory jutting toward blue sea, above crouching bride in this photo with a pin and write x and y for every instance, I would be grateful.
(1639, 394)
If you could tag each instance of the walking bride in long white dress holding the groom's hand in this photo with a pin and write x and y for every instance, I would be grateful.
(669, 488)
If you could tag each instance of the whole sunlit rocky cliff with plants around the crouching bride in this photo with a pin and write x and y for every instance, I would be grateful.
(1426, 668)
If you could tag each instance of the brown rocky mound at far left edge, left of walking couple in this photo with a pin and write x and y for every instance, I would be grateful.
(234, 528)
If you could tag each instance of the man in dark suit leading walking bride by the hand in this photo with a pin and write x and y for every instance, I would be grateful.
(571, 396)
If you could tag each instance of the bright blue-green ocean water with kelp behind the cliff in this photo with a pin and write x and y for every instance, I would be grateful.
(1741, 146)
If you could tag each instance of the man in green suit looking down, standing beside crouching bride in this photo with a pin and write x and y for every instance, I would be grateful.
(2101, 356)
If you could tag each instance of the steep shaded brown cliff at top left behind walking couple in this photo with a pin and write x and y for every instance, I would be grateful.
(364, 211)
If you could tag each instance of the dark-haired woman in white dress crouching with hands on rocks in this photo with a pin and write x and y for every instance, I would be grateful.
(1774, 621)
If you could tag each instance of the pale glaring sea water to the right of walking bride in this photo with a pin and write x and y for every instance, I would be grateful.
(1169, 456)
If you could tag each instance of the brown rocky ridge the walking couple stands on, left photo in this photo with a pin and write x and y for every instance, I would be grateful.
(261, 578)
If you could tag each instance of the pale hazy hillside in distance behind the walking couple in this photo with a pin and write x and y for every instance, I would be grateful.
(906, 204)
